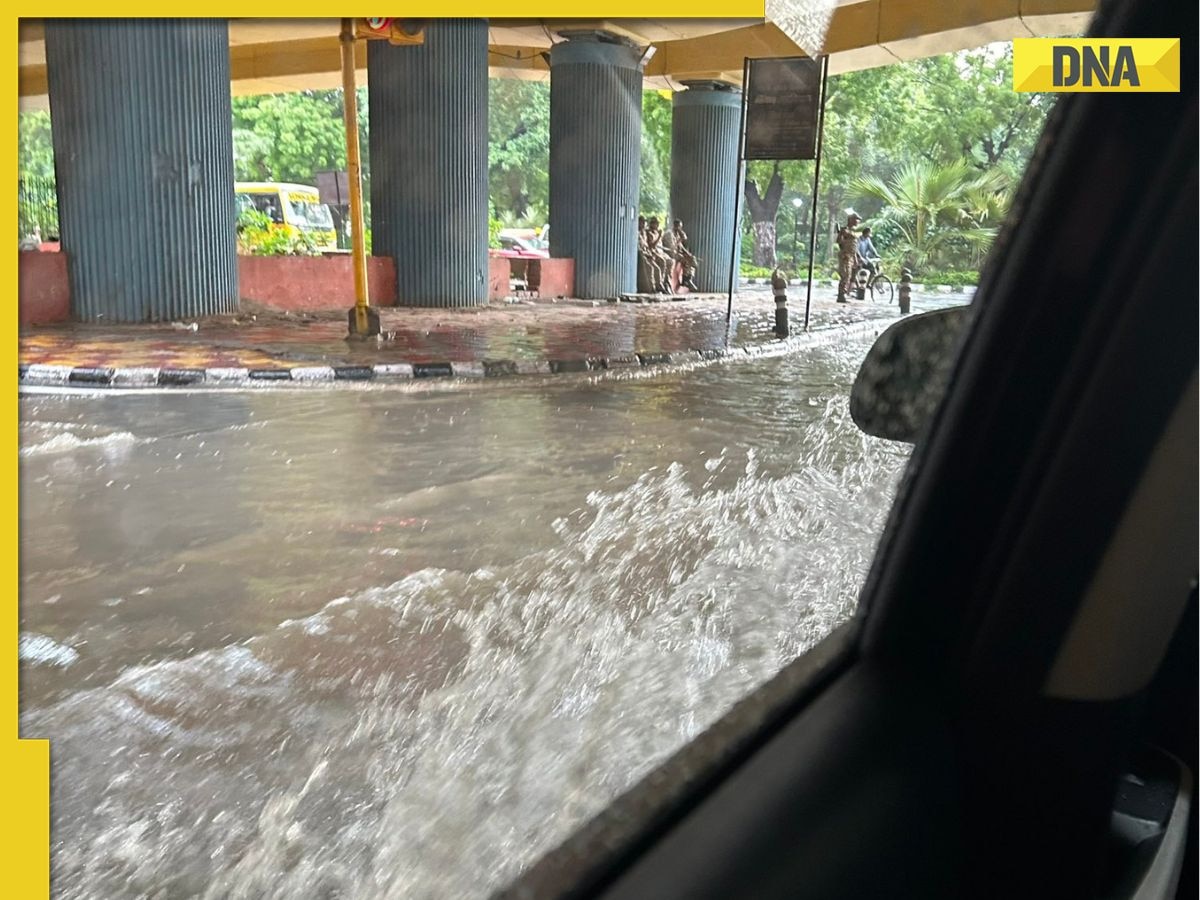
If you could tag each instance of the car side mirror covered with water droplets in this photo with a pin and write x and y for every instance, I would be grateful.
(905, 375)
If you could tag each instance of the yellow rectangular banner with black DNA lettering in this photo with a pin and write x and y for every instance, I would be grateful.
(1094, 65)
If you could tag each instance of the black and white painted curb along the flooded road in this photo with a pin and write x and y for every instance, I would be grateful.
(39, 375)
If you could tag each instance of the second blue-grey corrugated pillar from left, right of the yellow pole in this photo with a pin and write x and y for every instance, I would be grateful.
(429, 163)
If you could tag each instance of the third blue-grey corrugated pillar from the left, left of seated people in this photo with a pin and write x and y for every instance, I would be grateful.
(596, 153)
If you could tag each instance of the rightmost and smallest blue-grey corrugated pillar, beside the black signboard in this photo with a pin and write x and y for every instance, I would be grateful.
(704, 167)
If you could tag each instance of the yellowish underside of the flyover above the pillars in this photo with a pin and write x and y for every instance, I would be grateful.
(279, 56)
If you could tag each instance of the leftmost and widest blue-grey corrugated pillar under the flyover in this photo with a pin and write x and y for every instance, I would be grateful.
(143, 155)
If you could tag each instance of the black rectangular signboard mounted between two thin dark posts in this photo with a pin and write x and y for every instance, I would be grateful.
(783, 109)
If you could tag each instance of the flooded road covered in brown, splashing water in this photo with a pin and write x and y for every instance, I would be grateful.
(381, 644)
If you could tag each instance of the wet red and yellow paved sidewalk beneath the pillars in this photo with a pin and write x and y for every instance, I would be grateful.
(262, 339)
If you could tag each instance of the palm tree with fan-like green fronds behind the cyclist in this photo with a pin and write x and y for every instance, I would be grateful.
(938, 209)
